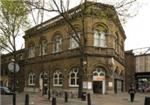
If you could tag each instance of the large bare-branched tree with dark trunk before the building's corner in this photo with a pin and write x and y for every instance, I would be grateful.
(62, 8)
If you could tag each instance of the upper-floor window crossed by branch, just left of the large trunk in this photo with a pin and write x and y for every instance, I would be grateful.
(73, 42)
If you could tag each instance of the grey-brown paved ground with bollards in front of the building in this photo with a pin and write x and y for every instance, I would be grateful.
(96, 99)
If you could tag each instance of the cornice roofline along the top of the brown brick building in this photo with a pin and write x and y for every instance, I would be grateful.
(54, 21)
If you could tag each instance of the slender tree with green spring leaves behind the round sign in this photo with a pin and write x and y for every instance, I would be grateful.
(13, 18)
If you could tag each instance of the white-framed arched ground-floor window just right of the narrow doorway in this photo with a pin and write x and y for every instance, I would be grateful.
(57, 78)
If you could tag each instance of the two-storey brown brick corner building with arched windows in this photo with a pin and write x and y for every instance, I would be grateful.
(52, 57)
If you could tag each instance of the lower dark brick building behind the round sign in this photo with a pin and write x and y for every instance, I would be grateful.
(7, 76)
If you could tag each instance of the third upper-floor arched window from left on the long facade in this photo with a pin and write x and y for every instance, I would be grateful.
(57, 44)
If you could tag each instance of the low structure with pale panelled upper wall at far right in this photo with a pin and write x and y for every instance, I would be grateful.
(139, 68)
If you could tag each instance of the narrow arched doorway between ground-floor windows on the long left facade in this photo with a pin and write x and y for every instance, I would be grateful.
(43, 82)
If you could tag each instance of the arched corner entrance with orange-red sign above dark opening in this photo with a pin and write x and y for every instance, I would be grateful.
(99, 83)
